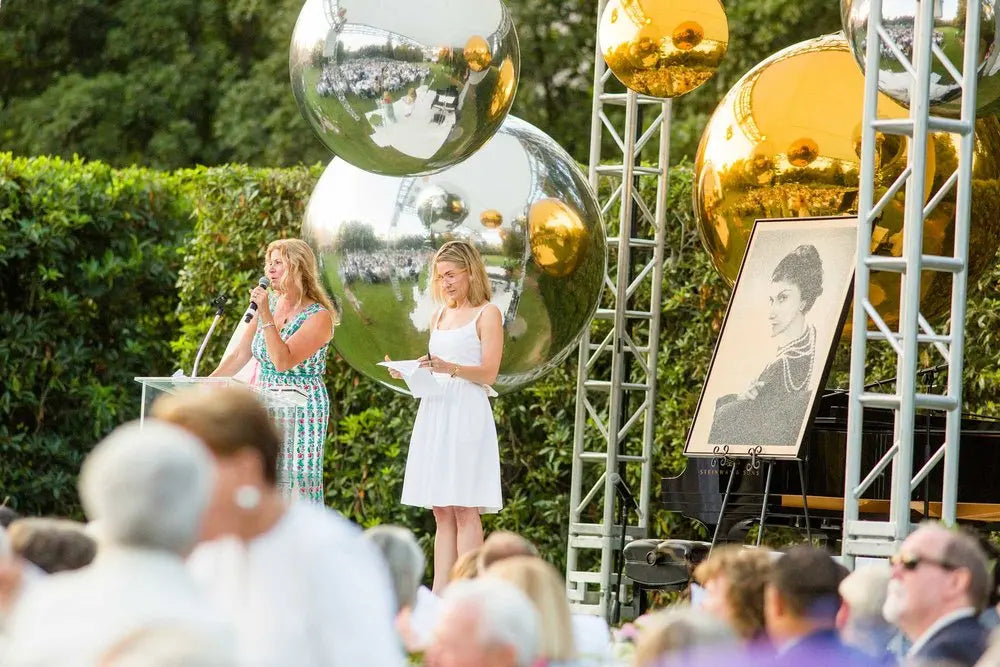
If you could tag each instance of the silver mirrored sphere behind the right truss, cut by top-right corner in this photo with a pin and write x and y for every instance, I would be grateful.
(949, 34)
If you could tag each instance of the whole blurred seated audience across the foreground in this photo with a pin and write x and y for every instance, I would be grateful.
(190, 556)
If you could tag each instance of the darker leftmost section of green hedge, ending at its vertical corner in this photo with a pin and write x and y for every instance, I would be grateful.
(88, 266)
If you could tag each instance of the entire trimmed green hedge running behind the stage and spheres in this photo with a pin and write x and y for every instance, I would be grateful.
(95, 260)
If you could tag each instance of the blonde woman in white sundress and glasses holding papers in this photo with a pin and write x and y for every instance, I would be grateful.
(453, 466)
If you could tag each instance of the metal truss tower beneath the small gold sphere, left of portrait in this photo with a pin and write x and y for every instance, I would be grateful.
(616, 381)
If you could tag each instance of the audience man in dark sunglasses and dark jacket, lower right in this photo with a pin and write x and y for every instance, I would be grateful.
(940, 582)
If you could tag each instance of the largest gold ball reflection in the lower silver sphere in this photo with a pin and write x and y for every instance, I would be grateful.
(557, 236)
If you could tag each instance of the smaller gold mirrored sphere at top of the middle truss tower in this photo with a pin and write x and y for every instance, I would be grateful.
(664, 48)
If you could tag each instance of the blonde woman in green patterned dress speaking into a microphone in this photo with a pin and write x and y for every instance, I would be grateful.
(289, 335)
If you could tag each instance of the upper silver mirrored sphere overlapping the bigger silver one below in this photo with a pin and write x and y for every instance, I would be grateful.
(404, 87)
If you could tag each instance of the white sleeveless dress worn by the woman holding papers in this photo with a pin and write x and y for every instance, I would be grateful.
(454, 458)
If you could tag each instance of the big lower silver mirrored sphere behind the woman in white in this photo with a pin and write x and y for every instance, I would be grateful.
(520, 199)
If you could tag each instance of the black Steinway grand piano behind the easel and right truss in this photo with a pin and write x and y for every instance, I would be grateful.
(698, 492)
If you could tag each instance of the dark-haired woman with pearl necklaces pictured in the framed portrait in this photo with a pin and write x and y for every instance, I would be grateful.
(770, 411)
